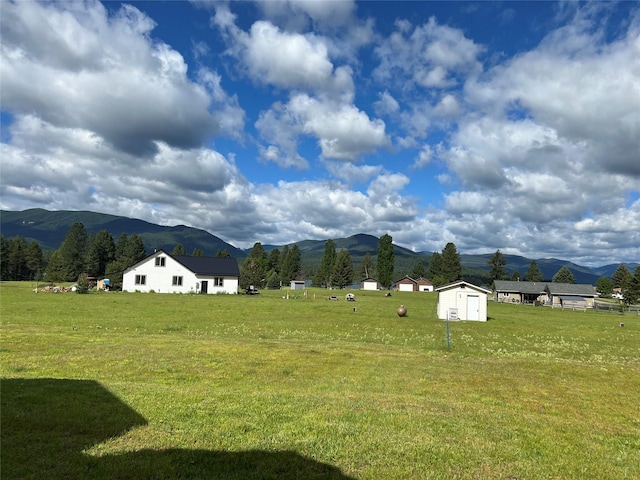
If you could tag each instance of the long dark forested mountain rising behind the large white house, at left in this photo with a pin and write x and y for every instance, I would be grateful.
(49, 229)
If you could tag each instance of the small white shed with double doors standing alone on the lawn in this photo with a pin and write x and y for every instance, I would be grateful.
(467, 301)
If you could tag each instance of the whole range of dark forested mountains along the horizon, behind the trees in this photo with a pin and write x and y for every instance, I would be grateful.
(49, 229)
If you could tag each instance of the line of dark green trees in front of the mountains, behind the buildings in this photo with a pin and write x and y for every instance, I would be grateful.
(84, 255)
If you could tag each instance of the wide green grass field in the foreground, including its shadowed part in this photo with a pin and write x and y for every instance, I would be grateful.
(121, 385)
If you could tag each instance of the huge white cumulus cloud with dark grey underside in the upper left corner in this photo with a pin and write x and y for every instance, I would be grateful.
(103, 74)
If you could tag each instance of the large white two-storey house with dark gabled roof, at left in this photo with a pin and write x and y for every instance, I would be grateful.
(164, 273)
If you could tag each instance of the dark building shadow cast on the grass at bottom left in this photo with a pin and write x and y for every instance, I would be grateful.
(47, 423)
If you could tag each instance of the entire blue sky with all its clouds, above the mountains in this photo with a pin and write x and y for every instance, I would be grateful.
(493, 125)
